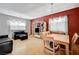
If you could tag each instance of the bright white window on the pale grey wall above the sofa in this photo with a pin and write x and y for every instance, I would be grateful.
(17, 25)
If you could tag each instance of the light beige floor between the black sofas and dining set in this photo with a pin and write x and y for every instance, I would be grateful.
(32, 46)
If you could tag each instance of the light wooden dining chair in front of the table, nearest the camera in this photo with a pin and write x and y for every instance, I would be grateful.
(50, 46)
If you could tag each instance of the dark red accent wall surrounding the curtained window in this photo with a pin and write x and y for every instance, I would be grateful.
(73, 20)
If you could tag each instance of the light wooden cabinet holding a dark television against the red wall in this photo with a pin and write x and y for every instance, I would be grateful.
(38, 27)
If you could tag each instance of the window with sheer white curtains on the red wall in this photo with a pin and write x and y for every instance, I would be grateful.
(58, 24)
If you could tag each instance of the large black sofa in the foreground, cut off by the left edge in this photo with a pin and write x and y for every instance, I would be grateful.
(6, 45)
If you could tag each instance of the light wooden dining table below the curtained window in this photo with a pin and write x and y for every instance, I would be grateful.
(61, 39)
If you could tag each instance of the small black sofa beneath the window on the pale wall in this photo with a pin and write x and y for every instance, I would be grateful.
(20, 35)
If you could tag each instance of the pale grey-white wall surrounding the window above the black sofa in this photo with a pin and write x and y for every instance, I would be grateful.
(4, 27)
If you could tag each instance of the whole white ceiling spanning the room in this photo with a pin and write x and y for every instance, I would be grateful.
(34, 10)
